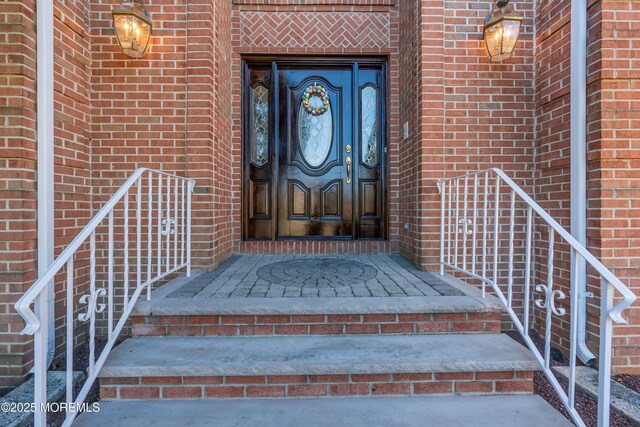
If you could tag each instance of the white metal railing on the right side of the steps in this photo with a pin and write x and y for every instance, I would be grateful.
(478, 213)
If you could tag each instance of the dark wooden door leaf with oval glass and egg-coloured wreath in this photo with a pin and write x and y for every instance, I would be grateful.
(315, 185)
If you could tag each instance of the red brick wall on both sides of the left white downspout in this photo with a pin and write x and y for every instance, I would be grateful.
(71, 140)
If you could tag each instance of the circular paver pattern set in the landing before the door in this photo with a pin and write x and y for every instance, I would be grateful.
(331, 272)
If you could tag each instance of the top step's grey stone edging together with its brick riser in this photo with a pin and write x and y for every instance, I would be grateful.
(168, 313)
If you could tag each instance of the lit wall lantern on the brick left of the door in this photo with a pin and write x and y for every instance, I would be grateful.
(133, 27)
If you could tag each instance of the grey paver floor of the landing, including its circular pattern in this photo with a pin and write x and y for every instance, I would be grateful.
(301, 276)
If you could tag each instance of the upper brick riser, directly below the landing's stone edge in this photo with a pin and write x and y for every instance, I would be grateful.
(332, 324)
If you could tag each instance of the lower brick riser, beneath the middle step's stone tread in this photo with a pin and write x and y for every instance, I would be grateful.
(398, 384)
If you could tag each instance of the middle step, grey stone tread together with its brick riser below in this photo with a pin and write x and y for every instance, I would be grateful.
(215, 367)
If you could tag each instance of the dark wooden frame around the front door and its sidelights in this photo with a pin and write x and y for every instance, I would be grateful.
(274, 61)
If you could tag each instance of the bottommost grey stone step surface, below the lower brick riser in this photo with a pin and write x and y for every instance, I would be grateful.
(458, 411)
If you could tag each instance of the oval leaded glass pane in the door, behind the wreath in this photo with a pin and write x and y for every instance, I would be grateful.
(315, 133)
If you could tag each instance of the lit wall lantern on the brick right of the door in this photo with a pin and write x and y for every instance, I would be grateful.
(501, 30)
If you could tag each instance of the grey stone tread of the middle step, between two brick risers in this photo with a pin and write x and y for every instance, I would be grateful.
(290, 355)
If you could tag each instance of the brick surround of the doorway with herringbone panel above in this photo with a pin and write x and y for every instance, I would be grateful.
(318, 27)
